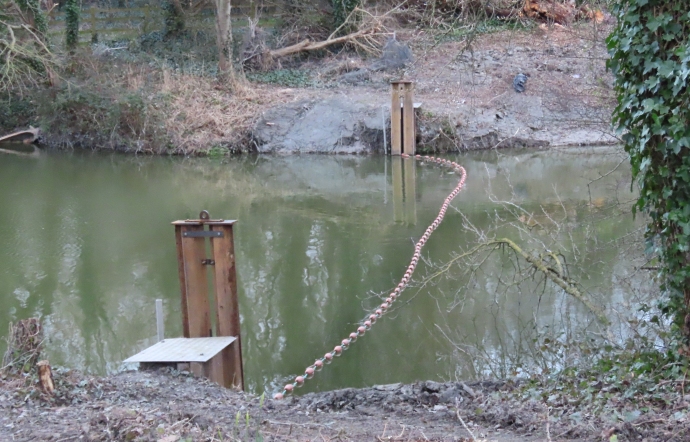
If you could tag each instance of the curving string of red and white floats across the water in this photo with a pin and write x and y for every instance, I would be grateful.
(381, 310)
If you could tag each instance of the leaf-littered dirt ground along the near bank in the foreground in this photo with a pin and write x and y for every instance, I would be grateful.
(169, 406)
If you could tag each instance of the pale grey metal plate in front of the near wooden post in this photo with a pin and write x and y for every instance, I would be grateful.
(183, 350)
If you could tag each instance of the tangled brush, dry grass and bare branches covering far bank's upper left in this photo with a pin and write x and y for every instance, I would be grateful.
(171, 91)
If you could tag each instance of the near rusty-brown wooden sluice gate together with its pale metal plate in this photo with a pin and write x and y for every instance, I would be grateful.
(214, 354)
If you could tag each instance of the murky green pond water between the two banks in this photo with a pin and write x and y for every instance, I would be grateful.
(88, 247)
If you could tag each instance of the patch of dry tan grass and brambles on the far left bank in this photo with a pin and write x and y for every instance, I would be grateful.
(138, 106)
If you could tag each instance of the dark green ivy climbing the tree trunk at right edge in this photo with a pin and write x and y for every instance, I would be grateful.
(650, 57)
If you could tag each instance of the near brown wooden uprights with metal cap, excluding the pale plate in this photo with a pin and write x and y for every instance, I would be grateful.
(193, 266)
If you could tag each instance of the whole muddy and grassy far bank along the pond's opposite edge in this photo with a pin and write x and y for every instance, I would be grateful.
(342, 102)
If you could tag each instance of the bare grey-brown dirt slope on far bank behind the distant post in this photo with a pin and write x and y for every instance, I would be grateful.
(466, 83)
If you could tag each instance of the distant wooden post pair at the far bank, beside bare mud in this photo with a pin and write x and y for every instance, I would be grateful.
(402, 118)
